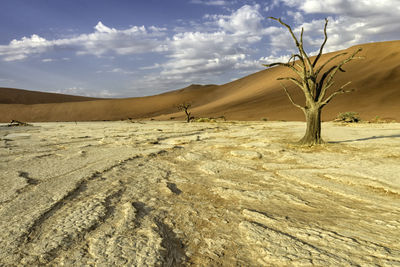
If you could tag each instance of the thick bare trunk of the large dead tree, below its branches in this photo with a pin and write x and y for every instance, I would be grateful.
(313, 131)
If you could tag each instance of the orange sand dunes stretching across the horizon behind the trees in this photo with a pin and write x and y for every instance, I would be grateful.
(375, 78)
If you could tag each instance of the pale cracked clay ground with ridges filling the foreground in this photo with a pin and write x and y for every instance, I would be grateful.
(199, 194)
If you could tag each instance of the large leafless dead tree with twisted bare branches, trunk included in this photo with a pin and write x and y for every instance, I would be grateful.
(313, 82)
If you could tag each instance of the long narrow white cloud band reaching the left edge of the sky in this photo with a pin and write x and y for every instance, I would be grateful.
(103, 40)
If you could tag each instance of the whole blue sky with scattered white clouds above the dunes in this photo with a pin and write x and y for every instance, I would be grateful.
(125, 48)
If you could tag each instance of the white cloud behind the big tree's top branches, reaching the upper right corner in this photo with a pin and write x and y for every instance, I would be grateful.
(350, 22)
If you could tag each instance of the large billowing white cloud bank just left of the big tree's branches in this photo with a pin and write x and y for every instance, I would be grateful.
(195, 55)
